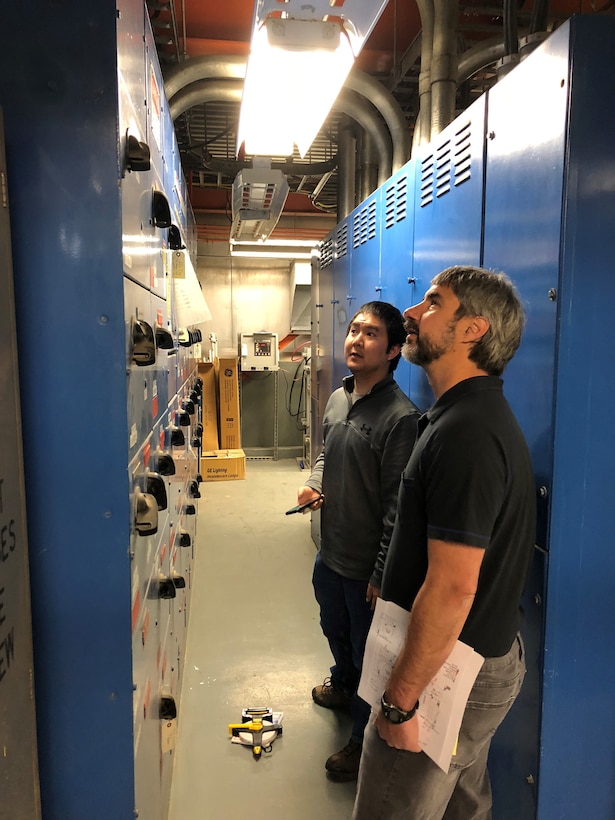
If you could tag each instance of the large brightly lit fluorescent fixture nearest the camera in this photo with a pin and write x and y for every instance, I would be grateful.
(300, 56)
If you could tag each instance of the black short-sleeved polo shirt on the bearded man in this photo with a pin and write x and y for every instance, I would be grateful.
(469, 480)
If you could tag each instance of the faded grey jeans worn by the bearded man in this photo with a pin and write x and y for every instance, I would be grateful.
(400, 785)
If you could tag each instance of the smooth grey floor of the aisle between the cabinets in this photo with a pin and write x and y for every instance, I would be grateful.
(254, 639)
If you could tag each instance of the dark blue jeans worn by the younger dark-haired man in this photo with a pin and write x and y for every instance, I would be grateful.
(345, 618)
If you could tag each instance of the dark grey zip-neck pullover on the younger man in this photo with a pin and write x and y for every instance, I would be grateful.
(366, 445)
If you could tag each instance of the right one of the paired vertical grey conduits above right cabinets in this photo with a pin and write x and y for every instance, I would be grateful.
(444, 65)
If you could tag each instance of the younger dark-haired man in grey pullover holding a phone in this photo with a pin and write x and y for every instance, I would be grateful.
(369, 427)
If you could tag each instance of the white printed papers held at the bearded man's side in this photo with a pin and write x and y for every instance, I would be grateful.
(443, 701)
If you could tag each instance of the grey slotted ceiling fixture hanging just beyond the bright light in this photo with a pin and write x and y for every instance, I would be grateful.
(259, 195)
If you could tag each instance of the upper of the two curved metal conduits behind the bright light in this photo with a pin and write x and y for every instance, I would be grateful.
(234, 67)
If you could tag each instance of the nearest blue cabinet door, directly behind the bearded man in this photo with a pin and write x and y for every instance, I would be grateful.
(523, 197)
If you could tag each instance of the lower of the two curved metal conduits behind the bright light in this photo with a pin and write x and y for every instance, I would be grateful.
(347, 103)
